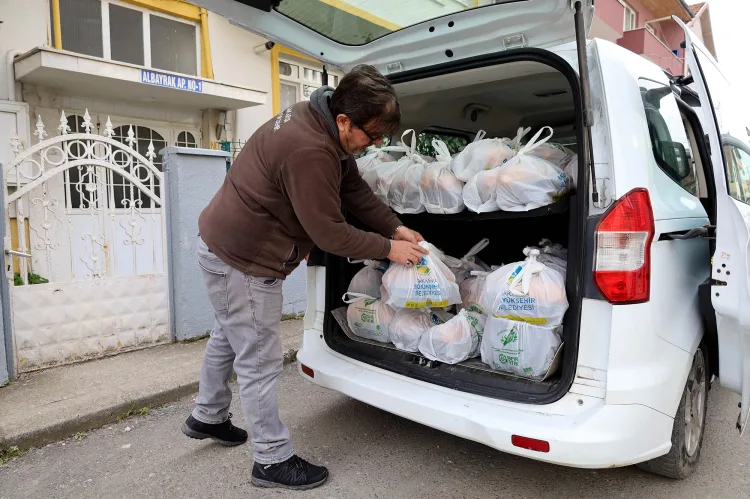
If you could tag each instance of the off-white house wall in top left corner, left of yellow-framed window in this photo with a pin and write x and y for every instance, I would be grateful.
(25, 26)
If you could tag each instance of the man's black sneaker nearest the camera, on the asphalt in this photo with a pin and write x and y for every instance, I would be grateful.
(294, 473)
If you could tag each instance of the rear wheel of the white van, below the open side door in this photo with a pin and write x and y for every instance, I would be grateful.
(689, 425)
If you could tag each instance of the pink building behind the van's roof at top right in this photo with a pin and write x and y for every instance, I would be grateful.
(646, 27)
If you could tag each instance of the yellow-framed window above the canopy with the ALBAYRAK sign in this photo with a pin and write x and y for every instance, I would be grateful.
(169, 35)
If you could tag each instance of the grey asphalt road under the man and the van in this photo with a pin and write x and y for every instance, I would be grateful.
(371, 454)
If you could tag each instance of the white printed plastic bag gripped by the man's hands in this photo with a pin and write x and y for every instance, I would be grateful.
(428, 283)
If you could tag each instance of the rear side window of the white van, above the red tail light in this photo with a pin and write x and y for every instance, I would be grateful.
(669, 140)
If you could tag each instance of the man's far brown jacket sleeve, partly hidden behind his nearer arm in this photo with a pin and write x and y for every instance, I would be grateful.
(360, 200)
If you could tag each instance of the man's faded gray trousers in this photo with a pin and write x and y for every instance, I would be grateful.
(246, 337)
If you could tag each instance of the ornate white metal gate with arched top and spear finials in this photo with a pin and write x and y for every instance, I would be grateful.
(85, 246)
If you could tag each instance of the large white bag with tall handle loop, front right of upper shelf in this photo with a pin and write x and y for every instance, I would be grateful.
(527, 182)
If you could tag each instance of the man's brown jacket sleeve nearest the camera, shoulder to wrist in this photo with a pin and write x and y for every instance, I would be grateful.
(309, 179)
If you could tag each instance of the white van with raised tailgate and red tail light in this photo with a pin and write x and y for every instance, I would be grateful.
(657, 234)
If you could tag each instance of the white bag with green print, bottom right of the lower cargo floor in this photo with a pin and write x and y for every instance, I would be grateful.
(518, 347)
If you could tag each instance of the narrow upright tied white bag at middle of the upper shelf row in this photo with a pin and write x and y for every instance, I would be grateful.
(440, 190)
